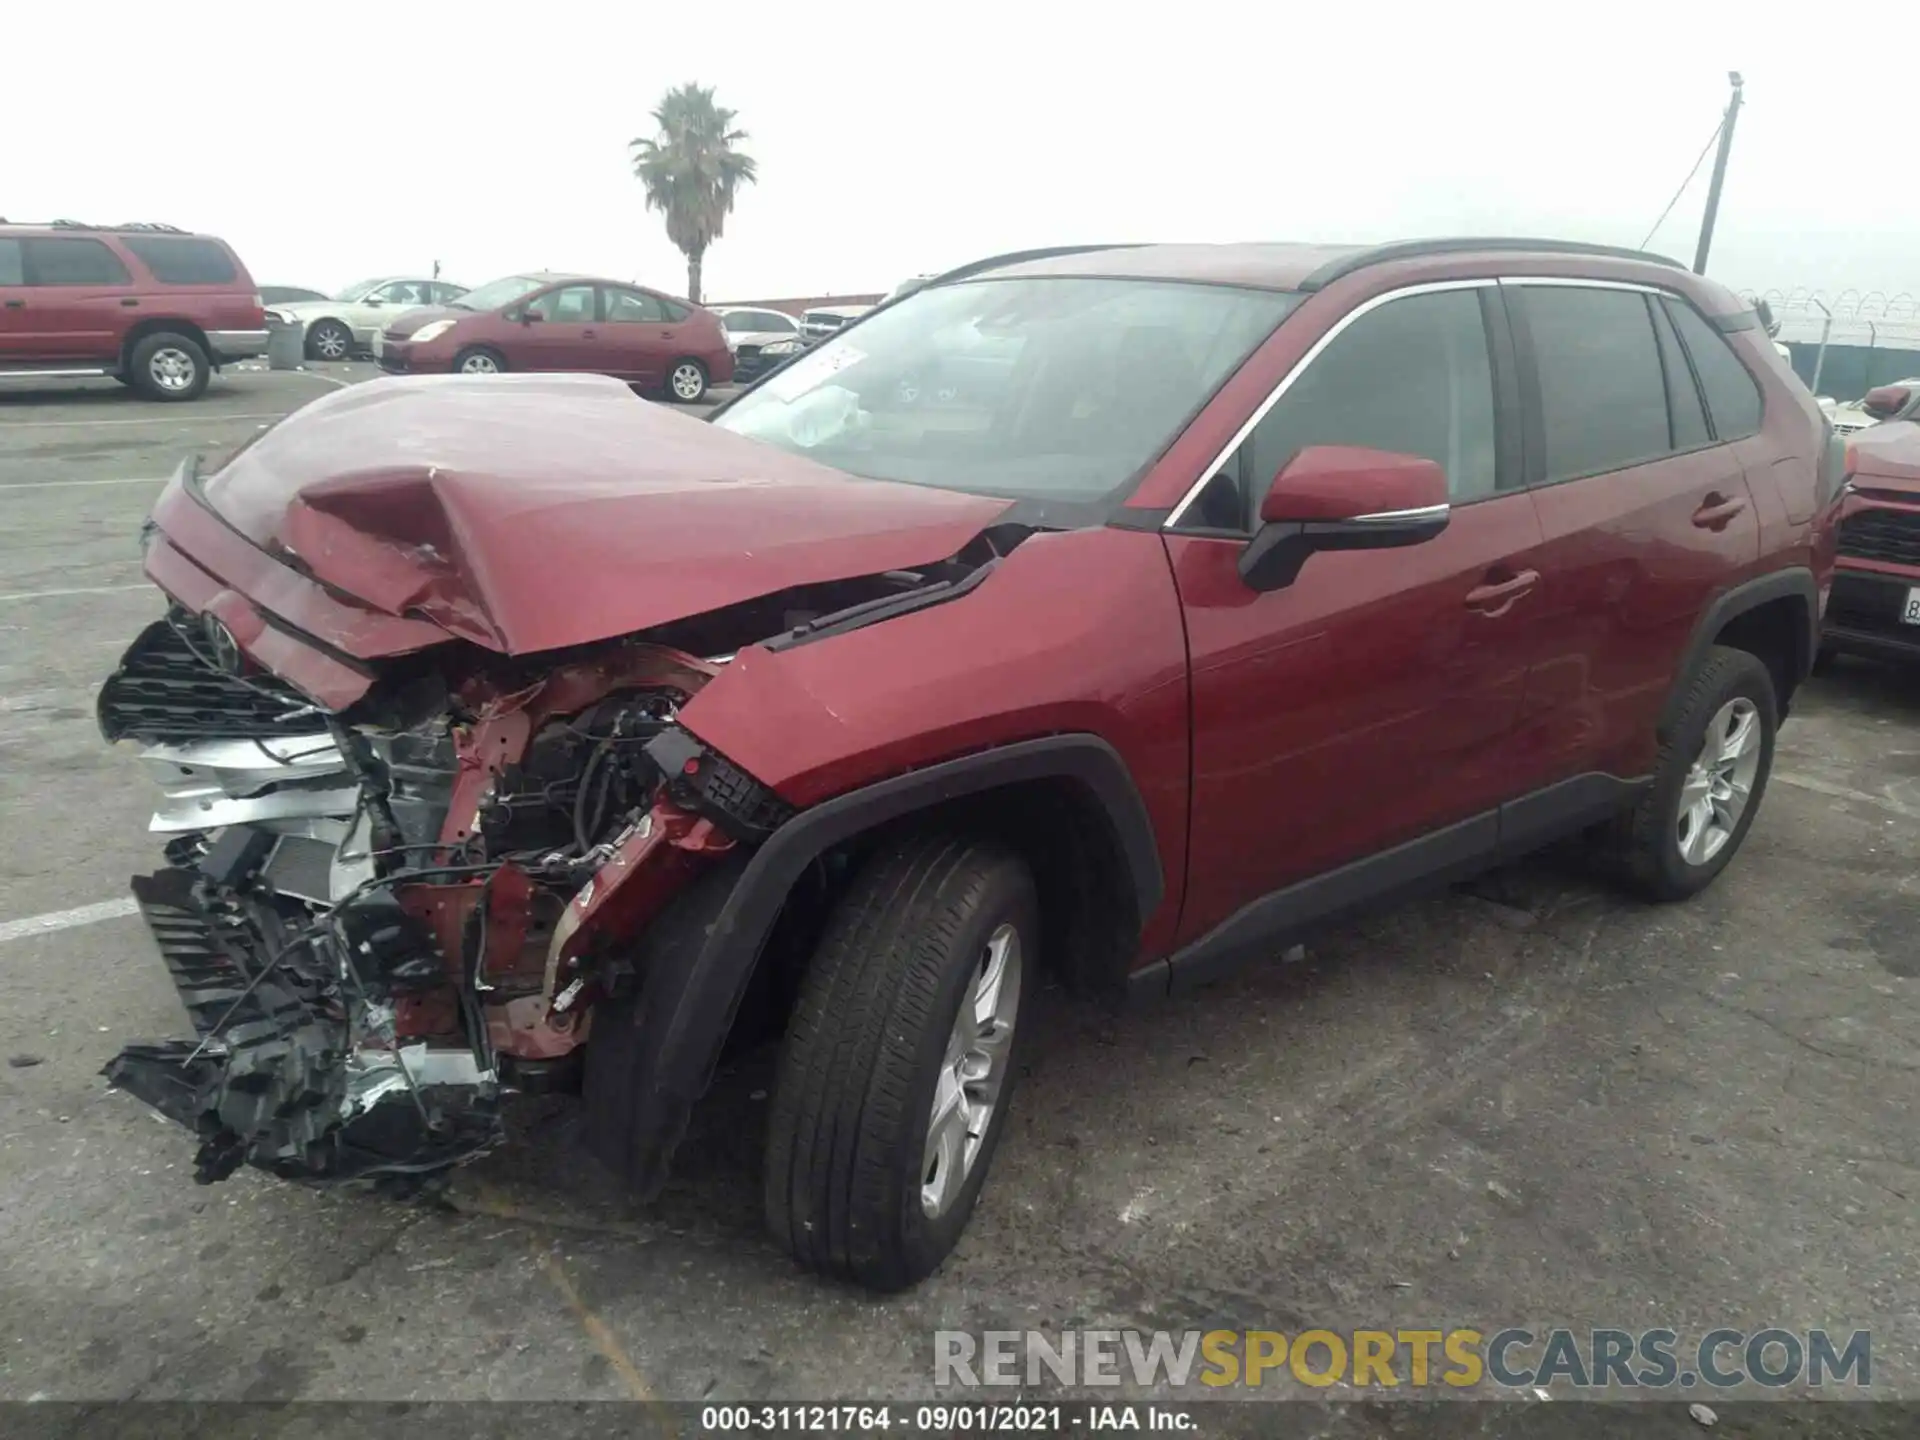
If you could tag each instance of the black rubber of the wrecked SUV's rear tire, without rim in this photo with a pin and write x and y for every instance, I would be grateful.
(1646, 840)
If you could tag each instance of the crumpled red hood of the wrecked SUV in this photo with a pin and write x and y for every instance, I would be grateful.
(540, 512)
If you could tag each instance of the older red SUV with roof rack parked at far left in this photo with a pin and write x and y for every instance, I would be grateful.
(153, 306)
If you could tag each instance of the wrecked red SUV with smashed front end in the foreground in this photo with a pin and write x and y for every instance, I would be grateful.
(529, 736)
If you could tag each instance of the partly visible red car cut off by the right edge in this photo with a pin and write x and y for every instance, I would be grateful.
(1877, 590)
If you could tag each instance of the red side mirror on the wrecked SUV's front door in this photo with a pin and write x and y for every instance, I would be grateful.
(1343, 498)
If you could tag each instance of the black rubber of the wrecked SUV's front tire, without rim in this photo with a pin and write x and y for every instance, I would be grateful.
(865, 1049)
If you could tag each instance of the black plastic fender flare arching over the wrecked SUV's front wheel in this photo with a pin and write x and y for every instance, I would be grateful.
(700, 955)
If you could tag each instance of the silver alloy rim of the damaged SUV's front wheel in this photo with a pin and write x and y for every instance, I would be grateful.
(972, 1072)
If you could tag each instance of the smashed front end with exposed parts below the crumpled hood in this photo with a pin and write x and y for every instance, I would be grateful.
(381, 921)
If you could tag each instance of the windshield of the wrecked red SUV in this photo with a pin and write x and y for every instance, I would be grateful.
(1045, 389)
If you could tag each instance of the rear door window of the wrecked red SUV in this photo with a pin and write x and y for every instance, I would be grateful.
(1602, 389)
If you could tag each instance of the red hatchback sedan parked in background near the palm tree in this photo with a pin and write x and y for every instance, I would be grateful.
(565, 324)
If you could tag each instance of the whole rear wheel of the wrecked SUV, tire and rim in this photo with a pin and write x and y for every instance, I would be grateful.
(1708, 784)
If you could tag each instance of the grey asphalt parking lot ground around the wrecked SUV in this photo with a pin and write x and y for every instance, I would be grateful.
(1533, 1105)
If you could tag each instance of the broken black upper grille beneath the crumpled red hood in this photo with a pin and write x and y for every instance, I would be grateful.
(164, 694)
